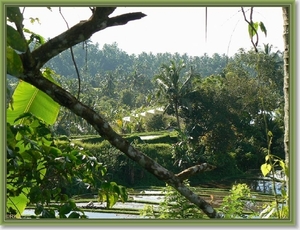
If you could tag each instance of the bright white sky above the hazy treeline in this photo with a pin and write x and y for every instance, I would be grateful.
(169, 29)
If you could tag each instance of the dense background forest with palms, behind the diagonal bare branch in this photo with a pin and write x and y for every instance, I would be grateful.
(225, 105)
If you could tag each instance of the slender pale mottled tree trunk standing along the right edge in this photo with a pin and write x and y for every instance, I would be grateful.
(286, 54)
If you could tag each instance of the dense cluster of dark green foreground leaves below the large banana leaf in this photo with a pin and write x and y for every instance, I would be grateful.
(41, 171)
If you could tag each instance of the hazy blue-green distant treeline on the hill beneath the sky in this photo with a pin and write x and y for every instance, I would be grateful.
(92, 60)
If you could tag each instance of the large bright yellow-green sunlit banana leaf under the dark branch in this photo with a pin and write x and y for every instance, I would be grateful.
(28, 98)
